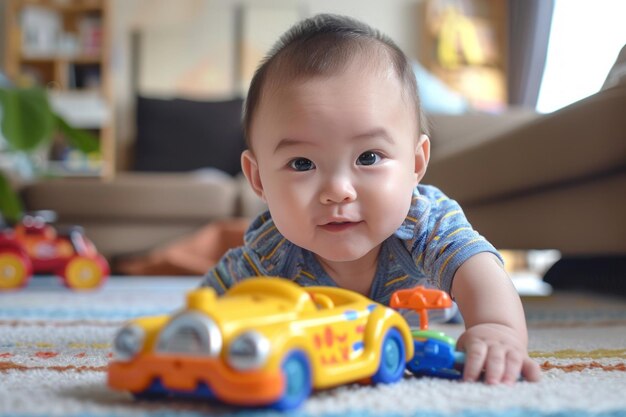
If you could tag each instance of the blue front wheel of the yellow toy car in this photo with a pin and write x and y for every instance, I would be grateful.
(297, 374)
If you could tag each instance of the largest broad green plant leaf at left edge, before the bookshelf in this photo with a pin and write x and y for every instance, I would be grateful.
(27, 119)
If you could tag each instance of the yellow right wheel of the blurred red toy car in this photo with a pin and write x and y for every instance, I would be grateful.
(85, 273)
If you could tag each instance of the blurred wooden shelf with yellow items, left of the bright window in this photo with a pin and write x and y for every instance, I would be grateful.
(464, 43)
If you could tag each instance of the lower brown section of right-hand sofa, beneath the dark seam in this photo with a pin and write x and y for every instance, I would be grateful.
(583, 218)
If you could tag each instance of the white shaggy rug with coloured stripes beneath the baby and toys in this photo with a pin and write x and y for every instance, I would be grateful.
(55, 344)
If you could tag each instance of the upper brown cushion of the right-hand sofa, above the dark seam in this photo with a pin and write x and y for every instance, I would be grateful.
(583, 140)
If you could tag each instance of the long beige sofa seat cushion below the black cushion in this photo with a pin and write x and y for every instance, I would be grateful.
(164, 197)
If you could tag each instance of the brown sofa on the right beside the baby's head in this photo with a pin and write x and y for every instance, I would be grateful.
(557, 181)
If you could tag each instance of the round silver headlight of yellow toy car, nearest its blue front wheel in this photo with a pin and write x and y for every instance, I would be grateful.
(248, 351)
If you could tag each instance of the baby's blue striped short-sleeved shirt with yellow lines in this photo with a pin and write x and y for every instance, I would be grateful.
(427, 249)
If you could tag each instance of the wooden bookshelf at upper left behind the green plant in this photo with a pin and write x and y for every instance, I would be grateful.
(63, 45)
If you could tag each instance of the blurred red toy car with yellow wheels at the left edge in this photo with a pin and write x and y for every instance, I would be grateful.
(35, 246)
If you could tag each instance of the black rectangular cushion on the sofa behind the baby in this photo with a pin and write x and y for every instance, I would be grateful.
(183, 135)
